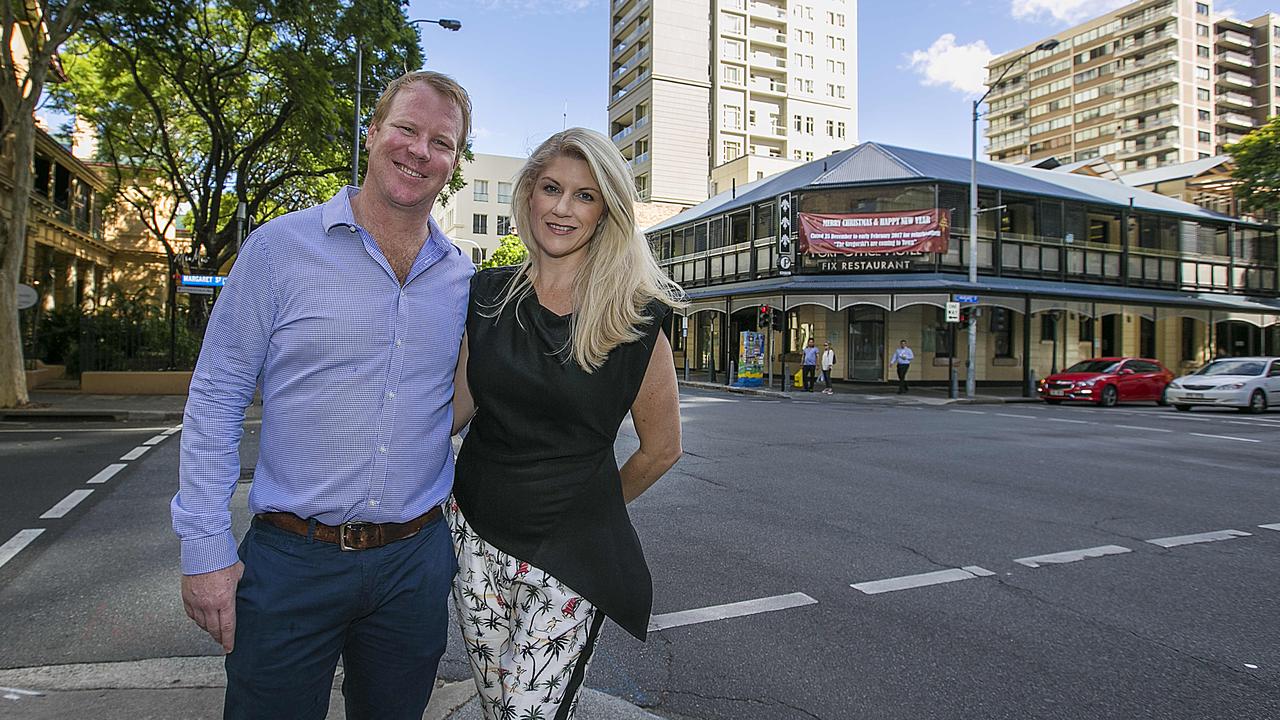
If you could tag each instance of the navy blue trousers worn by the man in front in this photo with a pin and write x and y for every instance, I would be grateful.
(303, 605)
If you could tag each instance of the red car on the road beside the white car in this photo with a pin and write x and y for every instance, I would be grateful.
(1108, 381)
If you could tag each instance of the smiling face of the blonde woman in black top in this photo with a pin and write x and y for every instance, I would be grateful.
(565, 208)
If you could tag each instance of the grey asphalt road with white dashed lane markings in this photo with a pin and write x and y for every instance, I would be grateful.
(1099, 564)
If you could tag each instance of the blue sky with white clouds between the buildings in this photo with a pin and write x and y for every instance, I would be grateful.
(534, 66)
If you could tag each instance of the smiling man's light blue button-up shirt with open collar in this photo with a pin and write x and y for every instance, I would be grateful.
(356, 375)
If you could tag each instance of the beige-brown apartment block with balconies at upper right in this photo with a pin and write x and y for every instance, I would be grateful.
(1153, 84)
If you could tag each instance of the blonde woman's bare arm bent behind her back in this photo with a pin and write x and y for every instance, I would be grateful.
(656, 414)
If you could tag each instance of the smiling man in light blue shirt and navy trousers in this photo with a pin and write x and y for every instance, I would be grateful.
(351, 316)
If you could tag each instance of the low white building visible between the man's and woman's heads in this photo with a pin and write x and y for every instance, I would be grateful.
(479, 215)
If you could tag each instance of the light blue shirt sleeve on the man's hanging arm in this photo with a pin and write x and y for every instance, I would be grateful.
(222, 388)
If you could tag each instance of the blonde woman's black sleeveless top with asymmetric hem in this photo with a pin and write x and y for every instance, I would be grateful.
(537, 476)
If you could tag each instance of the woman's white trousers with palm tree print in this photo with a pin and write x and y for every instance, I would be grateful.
(529, 639)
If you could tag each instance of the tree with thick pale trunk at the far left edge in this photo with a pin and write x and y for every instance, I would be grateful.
(31, 34)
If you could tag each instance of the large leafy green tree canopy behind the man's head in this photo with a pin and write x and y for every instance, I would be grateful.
(227, 102)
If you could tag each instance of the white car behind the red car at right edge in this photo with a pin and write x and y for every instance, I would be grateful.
(1249, 384)
